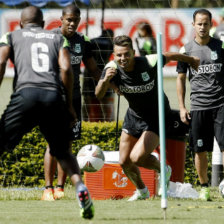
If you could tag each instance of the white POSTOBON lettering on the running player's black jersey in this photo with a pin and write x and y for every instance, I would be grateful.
(137, 89)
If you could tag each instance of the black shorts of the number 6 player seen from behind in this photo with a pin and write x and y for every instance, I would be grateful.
(32, 107)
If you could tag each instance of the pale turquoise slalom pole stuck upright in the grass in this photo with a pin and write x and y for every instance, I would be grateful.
(161, 124)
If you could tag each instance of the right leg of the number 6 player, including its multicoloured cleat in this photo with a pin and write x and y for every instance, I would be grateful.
(55, 125)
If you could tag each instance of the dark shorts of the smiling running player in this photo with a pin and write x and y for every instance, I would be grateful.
(135, 125)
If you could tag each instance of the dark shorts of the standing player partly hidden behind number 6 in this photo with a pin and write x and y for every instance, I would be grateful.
(77, 128)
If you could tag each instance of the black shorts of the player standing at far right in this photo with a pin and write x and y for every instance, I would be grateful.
(205, 124)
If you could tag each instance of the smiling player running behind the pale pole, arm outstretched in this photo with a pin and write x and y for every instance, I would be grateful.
(136, 78)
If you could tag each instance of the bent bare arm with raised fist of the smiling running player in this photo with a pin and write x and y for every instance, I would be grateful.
(104, 84)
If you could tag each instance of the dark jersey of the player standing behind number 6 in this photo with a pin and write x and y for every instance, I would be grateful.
(80, 50)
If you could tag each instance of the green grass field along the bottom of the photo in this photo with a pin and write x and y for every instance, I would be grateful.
(24, 207)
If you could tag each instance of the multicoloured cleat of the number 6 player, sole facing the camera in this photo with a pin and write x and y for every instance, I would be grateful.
(85, 202)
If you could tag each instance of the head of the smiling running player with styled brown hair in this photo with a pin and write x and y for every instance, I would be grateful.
(124, 52)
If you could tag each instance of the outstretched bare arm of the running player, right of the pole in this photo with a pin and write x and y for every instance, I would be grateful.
(175, 56)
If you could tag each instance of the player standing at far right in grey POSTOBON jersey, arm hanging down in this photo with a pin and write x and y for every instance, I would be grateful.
(207, 94)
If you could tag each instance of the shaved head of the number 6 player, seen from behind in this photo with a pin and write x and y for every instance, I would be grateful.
(31, 15)
